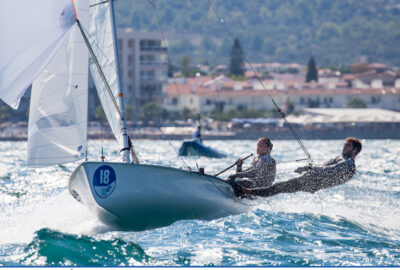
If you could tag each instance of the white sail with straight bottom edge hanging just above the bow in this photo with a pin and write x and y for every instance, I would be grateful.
(58, 112)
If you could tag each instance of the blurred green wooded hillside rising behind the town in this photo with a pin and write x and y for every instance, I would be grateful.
(335, 32)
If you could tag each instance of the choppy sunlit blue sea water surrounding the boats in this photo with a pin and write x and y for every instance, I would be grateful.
(355, 224)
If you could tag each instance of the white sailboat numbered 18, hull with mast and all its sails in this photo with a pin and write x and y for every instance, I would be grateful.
(52, 54)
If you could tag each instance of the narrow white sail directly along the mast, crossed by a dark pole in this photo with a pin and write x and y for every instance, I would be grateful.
(101, 40)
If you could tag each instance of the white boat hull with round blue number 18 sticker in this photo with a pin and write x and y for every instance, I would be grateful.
(141, 197)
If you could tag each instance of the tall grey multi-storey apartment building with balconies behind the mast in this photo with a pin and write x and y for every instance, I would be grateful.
(144, 66)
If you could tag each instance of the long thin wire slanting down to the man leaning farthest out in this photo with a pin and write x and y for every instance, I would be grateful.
(282, 114)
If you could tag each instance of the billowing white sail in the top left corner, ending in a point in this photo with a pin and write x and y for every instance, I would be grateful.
(31, 32)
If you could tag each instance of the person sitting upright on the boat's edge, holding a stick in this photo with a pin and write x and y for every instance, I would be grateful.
(262, 171)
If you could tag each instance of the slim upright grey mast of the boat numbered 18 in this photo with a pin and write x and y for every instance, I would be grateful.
(119, 83)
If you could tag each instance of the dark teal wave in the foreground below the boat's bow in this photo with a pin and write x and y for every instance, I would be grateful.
(53, 248)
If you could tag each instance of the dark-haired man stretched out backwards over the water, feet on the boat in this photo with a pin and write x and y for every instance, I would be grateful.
(332, 173)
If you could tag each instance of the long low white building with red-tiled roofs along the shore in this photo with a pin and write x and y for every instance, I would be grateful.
(202, 98)
